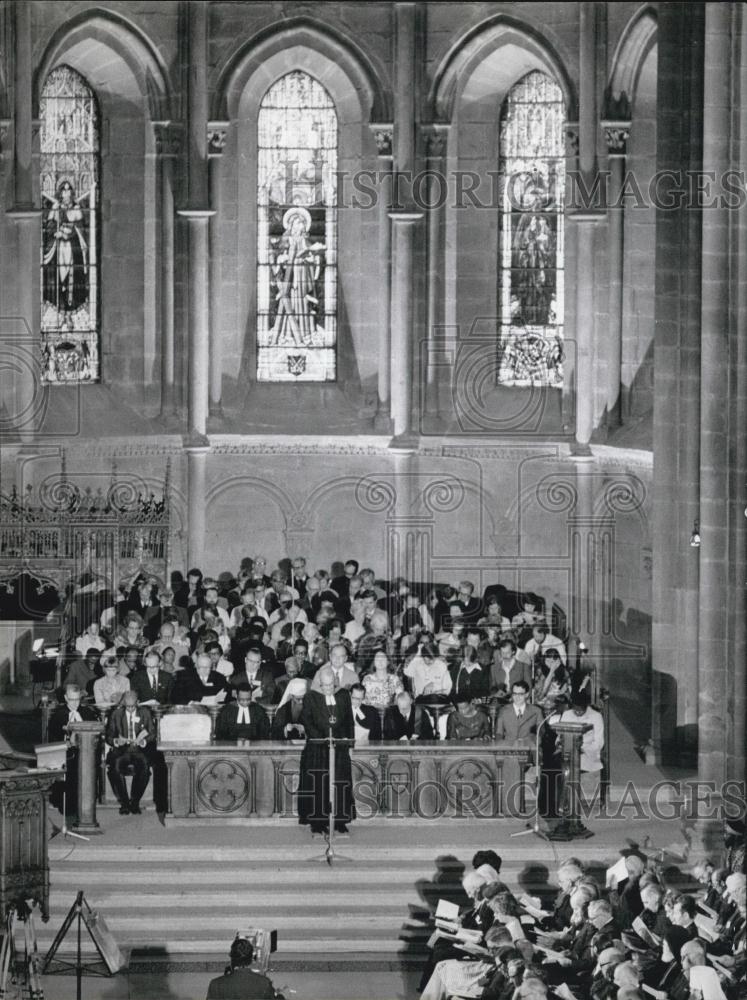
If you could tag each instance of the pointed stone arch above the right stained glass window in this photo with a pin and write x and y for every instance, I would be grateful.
(478, 45)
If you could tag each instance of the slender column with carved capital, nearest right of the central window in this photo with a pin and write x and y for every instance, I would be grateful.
(383, 136)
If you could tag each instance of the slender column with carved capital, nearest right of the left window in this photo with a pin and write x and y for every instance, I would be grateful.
(168, 146)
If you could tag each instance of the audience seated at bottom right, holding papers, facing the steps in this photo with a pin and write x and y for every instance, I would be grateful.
(637, 936)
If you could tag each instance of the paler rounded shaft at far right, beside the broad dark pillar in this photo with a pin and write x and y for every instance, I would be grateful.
(713, 640)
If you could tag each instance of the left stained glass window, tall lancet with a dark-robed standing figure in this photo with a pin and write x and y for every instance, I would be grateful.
(70, 229)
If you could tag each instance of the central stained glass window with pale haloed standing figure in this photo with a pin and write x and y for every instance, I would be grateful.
(297, 233)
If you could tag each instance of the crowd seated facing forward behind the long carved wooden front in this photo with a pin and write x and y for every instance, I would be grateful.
(418, 664)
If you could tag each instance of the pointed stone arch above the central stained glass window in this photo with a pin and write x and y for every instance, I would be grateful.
(249, 62)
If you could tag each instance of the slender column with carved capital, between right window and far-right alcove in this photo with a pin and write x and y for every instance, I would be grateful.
(616, 135)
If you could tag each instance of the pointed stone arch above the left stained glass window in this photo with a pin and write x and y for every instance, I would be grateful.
(125, 40)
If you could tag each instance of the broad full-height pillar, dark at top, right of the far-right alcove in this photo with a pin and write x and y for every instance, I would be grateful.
(675, 588)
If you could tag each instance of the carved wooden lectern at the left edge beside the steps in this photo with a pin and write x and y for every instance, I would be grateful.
(24, 862)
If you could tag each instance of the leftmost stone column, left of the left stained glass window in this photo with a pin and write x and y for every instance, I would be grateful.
(26, 215)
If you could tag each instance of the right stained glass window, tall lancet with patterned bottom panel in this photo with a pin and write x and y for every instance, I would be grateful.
(532, 168)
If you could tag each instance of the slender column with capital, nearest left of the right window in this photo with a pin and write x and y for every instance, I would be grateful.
(436, 136)
